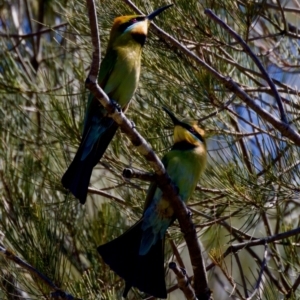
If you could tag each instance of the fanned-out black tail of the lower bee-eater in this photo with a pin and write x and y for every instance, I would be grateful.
(145, 272)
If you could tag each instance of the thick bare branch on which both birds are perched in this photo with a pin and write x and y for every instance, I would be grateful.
(164, 182)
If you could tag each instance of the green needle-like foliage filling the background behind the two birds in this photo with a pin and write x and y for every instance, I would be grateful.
(250, 188)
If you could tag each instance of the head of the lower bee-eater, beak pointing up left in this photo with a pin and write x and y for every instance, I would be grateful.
(187, 130)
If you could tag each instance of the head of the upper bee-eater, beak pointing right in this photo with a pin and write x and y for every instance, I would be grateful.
(132, 28)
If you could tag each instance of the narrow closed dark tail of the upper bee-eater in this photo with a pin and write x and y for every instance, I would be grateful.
(77, 177)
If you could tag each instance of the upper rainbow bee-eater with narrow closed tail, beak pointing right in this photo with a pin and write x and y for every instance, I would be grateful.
(118, 77)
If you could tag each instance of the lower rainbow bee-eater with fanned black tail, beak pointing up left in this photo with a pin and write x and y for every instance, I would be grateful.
(138, 255)
